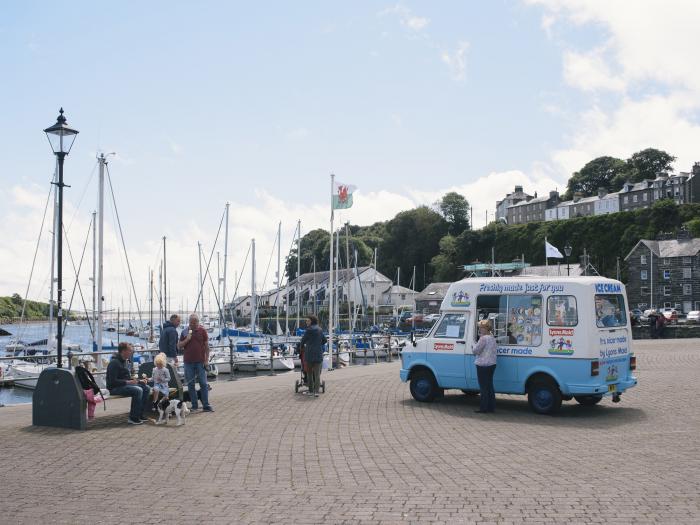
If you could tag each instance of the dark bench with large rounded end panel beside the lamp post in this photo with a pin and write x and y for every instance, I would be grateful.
(59, 400)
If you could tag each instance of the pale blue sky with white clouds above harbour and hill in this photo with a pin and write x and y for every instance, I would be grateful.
(256, 104)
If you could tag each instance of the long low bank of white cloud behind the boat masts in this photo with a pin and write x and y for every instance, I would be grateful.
(248, 220)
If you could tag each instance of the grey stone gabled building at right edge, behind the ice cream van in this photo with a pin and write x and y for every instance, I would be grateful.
(665, 273)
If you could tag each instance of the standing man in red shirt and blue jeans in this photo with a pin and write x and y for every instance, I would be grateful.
(196, 355)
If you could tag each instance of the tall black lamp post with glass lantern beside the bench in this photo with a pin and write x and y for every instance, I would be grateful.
(61, 139)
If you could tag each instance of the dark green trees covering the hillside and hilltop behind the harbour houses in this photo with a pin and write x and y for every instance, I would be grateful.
(438, 240)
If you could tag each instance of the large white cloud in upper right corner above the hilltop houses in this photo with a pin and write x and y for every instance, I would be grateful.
(648, 58)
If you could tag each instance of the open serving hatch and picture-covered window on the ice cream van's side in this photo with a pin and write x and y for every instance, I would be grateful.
(516, 319)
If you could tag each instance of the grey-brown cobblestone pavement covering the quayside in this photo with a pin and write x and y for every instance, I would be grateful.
(365, 452)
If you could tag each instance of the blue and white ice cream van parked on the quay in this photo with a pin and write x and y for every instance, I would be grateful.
(559, 338)
